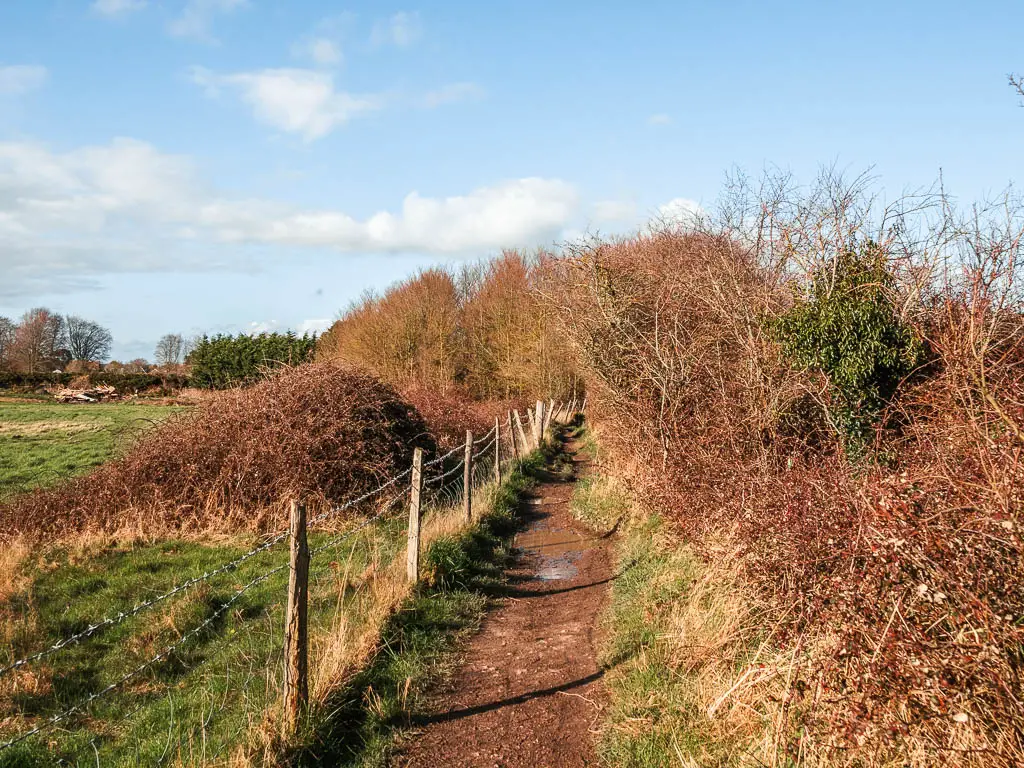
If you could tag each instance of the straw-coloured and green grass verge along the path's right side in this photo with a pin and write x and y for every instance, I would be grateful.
(681, 669)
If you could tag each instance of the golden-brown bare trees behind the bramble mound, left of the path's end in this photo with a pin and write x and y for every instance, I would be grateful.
(477, 334)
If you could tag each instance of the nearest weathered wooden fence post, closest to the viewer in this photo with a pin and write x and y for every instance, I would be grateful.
(297, 623)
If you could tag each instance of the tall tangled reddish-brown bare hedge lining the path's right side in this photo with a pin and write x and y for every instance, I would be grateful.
(880, 549)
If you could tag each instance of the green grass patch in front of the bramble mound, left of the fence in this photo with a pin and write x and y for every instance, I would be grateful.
(198, 703)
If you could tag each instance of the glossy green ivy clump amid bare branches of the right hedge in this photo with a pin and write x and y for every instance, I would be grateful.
(848, 328)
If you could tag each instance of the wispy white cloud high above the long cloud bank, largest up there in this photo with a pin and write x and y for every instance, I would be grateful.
(303, 102)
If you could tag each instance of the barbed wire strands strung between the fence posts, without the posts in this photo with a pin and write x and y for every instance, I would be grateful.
(492, 438)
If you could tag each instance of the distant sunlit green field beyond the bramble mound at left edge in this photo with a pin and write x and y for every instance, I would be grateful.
(42, 444)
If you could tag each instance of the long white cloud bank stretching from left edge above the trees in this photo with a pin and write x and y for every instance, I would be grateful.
(68, 218)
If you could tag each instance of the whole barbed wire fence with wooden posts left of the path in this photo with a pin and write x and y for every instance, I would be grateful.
(486, 456)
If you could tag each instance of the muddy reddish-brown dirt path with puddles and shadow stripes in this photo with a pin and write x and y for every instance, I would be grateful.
(528, 695)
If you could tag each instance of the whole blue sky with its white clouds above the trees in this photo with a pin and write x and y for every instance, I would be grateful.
(225, 165)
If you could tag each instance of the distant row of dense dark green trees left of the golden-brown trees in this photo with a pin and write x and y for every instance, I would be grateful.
(224, 362)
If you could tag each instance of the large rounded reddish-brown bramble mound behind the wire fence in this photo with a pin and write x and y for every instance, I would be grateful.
(318, 433)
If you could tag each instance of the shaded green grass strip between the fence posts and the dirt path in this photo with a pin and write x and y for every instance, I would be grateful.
(363, 722)
